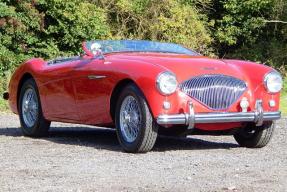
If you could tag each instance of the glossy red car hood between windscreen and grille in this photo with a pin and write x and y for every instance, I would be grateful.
(185, 66)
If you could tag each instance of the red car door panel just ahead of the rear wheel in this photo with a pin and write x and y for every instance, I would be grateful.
(59, 91)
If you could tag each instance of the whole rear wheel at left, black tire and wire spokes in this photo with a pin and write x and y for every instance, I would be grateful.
(30, 112)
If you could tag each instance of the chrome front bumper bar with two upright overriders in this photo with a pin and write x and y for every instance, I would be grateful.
(190, 119)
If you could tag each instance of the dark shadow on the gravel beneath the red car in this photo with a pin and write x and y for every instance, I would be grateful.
(107, 139)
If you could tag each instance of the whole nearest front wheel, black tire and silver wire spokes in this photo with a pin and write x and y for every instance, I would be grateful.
(136, 129)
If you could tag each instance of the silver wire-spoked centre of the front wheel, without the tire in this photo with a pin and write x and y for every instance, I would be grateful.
(130, 119)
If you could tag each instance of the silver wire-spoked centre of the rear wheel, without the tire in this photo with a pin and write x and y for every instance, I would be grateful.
(30, 107)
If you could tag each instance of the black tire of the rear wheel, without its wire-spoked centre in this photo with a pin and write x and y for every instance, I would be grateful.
(41, 126)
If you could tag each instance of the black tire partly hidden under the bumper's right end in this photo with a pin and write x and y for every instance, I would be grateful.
(255, 137)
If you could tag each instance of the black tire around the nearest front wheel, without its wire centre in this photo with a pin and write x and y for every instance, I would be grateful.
(148, 130)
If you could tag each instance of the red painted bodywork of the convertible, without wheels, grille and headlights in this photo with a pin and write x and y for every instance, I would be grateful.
(84, 90)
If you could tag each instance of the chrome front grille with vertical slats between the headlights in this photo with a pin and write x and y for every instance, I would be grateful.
(215, 91)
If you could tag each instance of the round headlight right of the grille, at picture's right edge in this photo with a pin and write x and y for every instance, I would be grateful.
(273, 82)
